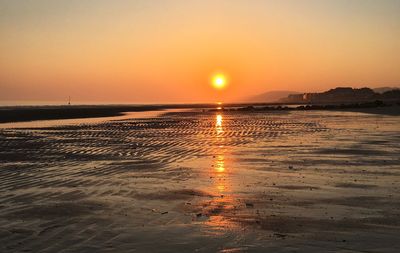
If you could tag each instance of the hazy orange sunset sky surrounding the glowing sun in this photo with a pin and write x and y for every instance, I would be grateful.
(160, 51)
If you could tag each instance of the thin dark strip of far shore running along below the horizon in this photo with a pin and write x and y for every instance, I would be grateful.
(14, 114)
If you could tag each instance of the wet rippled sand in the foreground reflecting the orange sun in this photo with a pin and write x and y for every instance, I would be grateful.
(207, 182)
